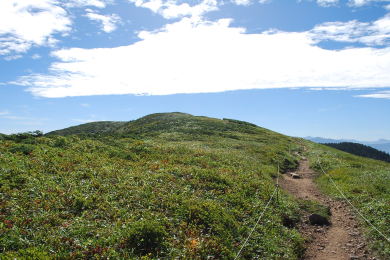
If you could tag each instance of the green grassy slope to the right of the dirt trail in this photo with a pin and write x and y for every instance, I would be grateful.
(365, 182)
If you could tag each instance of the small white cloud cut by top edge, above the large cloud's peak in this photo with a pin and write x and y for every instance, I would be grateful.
(174, 8)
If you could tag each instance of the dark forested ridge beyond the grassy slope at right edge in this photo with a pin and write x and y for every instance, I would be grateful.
(361, 150)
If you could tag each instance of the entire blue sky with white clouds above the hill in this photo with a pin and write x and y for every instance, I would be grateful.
(318, 68)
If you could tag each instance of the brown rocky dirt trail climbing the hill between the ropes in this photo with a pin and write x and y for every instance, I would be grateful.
(342, 239)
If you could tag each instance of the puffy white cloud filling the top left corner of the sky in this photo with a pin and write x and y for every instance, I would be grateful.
(27, 23)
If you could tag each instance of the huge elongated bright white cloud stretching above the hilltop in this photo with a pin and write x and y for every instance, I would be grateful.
(192, 56)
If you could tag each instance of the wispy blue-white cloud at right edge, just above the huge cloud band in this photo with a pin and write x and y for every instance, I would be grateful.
(373, 33)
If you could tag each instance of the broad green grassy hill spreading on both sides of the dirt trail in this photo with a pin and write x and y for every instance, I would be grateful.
(165, 186)
